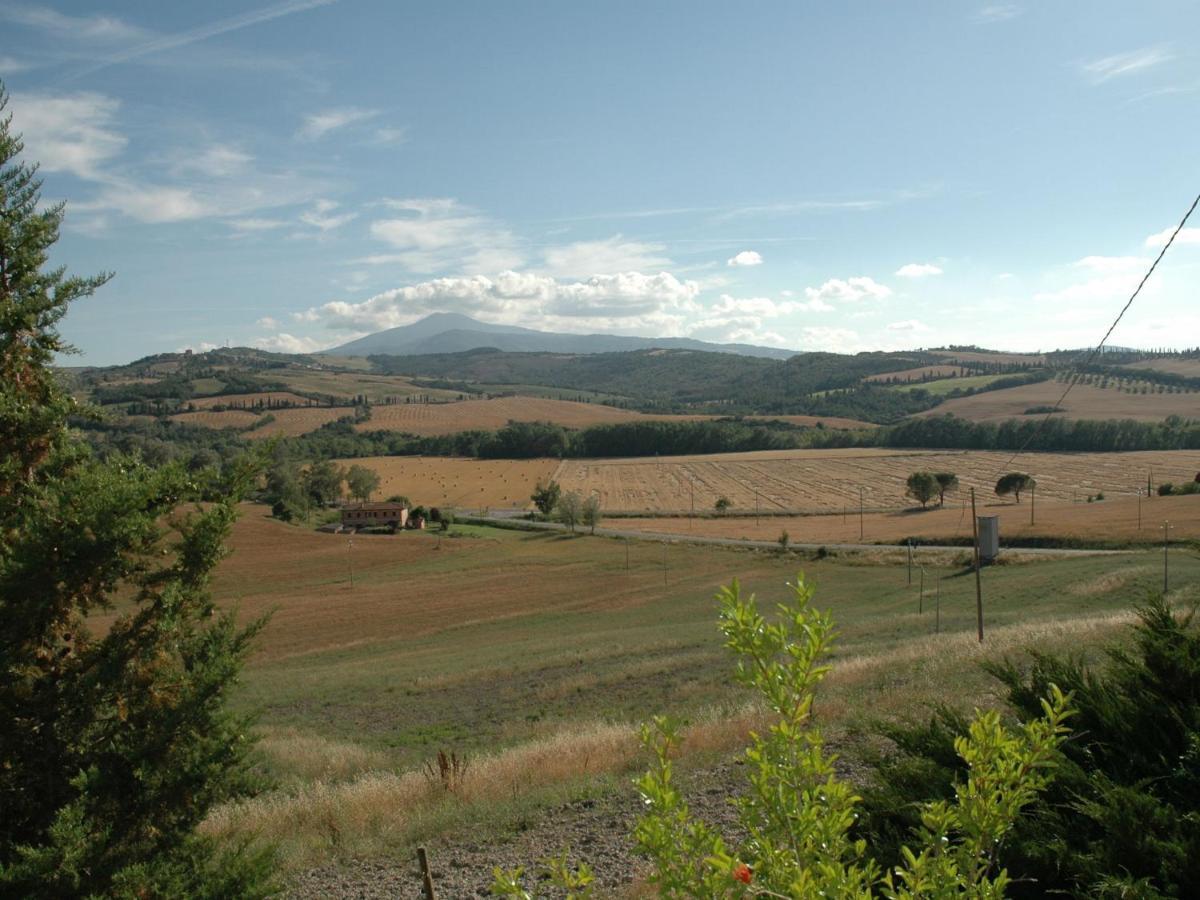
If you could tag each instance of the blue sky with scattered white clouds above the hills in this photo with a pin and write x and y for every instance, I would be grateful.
(820, 177)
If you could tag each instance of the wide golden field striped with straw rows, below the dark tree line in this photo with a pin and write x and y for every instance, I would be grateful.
(826, 481)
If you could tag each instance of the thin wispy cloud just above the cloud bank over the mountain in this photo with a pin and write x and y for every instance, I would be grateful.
(439, 235)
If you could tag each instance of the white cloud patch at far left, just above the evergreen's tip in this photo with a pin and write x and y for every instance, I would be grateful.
(69, 133)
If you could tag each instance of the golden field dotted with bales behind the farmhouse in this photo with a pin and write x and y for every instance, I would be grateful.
(461, 483)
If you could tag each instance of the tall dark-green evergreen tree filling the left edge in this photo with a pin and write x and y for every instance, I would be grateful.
(115, 739)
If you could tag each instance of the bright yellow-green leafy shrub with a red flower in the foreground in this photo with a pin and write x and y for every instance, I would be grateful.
(797, 814)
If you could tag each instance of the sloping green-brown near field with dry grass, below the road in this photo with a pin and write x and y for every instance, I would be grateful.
(537, 656)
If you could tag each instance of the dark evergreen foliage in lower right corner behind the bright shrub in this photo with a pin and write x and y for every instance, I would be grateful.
(1123, 818)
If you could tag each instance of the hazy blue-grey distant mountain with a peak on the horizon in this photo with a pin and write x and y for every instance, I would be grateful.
(452, 333)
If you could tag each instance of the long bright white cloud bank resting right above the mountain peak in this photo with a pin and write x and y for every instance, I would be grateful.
(659, 304)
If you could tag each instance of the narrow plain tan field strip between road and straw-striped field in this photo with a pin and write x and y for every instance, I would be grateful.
(1109, 520)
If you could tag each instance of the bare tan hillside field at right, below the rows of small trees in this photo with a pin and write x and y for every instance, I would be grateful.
(1085, 401)
